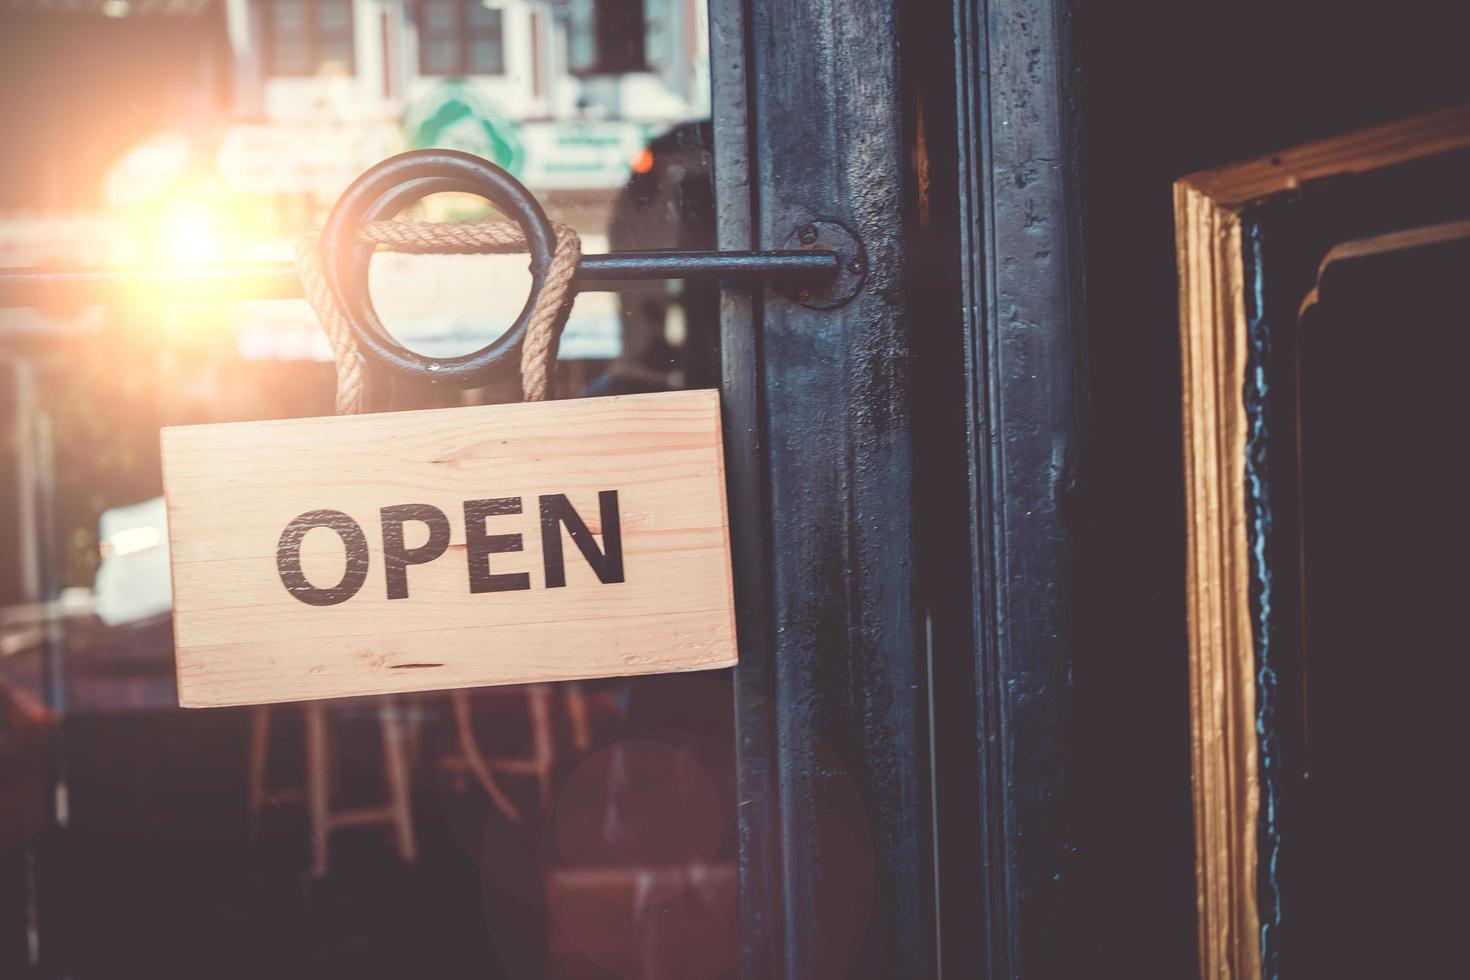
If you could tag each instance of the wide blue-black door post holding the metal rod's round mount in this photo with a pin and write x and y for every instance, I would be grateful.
(831, 691)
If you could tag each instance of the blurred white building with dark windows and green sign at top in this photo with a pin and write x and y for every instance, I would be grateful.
(561, 93)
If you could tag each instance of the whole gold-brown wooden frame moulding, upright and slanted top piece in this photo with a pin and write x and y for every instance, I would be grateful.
(1222, 659)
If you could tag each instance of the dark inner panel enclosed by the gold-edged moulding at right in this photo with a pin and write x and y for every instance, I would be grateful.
(1384, 540)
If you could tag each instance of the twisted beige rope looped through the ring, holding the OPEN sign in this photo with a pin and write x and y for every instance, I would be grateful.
(537, 352)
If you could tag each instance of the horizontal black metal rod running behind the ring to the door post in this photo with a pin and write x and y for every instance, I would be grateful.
(277, 281)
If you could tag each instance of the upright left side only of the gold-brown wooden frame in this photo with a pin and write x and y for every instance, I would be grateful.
(1222, 677)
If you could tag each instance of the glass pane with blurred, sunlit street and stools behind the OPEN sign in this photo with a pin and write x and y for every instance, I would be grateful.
(570, 831)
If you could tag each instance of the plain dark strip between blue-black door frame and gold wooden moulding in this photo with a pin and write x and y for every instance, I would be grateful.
(1172, 87)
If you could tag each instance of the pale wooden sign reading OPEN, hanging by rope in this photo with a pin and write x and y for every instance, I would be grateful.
(449, 549)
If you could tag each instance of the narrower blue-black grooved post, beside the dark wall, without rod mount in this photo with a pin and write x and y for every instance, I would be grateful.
(1024, 327)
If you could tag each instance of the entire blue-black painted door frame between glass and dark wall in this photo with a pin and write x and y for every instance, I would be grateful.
(900, 484)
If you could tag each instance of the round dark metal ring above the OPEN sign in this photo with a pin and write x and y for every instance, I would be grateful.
(383, 192)
